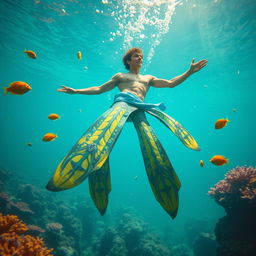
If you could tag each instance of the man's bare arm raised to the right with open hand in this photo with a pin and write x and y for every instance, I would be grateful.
(194, 67)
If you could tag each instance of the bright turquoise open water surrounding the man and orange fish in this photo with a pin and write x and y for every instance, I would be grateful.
(223, 32)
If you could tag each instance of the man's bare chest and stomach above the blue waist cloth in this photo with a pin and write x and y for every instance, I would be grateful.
(134, 83)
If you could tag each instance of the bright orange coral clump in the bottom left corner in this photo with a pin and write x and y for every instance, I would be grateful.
(12, 243)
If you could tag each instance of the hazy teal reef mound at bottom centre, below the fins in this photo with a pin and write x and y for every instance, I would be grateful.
(130, 236)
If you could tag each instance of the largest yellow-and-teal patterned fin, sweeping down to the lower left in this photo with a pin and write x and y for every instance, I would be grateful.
(91, 151)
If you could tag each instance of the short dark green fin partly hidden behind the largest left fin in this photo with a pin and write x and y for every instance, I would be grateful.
(100, 187)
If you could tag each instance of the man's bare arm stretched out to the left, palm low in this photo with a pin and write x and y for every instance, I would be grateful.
(109, 85)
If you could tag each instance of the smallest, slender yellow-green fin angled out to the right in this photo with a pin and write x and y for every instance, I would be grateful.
(176, 128)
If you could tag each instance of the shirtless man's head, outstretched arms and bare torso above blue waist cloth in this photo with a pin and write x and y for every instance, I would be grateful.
(133, 81)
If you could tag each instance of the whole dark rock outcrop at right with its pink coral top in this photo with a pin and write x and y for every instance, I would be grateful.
(236, 232)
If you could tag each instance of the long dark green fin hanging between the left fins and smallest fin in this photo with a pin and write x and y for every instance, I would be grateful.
(162, 177)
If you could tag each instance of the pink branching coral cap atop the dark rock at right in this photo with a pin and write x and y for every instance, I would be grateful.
(239, 185)
